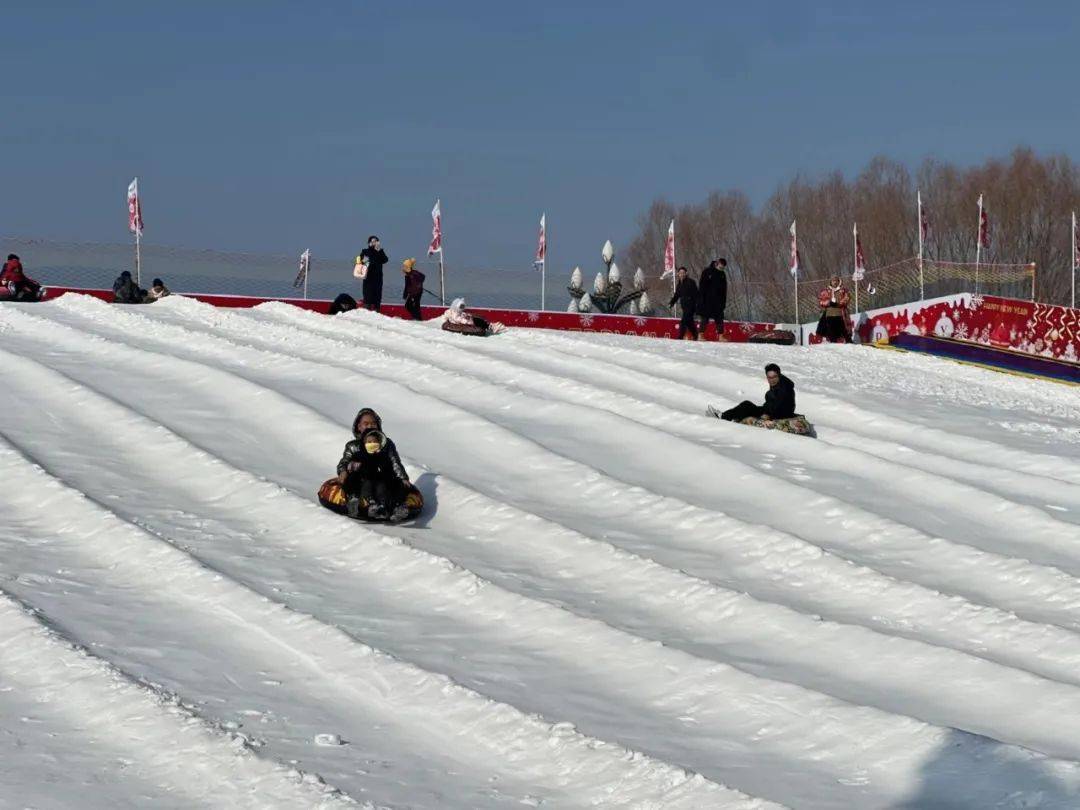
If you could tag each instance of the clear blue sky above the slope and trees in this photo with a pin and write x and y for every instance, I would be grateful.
(275, 127)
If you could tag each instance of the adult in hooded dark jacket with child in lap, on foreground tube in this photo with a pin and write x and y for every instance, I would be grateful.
(372, 471)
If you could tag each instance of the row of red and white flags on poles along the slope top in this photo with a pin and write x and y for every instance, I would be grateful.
(136, 225)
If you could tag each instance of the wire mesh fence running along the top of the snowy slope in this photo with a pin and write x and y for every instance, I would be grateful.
(187, 271)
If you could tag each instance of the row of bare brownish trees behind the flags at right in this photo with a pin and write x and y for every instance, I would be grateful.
(1030, 200)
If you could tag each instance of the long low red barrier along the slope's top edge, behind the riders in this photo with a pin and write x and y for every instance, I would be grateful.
(663, 328)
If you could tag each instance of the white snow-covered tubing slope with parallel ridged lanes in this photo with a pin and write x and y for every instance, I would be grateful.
(611, 600)
